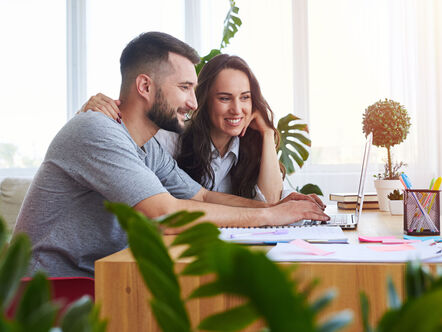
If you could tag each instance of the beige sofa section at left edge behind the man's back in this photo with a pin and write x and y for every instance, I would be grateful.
(12, 193)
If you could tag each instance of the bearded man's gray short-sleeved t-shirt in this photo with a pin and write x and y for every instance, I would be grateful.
(92, 159)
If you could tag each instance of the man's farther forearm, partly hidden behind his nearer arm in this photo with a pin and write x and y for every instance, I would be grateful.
(215, 197)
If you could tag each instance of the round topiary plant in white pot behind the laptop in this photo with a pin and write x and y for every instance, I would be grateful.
(389, 122)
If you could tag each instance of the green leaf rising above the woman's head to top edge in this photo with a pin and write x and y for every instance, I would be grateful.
(231, 24)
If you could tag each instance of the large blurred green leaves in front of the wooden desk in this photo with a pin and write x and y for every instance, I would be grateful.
(270, 294)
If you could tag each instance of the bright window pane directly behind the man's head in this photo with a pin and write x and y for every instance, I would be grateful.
(108, 32)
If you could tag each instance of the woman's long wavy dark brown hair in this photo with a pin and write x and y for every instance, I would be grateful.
(195, 143)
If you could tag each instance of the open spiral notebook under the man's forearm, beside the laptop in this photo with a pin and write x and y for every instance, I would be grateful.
(272, 235)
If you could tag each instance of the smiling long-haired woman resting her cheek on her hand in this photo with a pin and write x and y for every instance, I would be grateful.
(229, 143)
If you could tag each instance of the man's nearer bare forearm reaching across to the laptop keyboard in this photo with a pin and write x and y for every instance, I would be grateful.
(229, 216)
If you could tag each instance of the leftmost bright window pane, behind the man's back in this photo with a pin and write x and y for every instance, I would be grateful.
(33, 79)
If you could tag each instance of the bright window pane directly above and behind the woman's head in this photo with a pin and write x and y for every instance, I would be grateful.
(264, 41)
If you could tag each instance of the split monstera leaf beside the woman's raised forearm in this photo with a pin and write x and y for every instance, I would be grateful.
(292, 148)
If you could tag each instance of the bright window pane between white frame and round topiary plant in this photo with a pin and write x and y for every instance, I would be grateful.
(348, 70)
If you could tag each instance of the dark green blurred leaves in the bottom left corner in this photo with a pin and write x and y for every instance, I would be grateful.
(35, 309)
